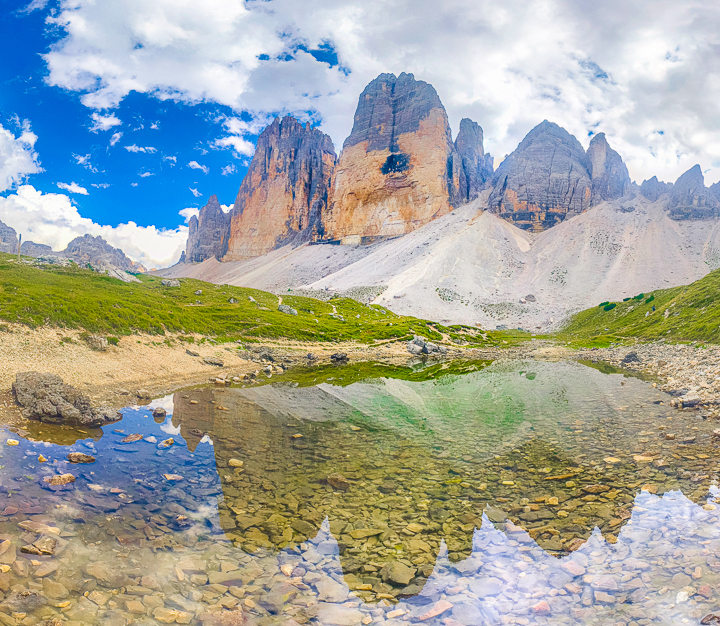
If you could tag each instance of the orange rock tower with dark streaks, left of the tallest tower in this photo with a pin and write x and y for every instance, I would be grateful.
(284, 193)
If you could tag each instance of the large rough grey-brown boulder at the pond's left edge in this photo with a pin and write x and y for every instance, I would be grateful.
(47, 398)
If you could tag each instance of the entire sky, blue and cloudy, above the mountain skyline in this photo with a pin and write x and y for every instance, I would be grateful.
(120, 117)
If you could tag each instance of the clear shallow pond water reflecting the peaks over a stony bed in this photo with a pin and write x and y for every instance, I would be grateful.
(523, 492)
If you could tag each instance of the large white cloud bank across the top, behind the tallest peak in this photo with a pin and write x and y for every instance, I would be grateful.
(628, 69)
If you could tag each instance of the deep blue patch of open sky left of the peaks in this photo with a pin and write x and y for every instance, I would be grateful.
(147, 187)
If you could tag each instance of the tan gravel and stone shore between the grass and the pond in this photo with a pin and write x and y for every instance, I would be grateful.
(143, 367)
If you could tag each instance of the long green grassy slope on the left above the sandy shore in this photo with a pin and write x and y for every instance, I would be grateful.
(74, 297)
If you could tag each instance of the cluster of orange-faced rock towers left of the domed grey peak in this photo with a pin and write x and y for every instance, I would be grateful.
(398, 170)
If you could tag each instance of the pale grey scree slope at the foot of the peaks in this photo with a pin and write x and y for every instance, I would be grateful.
(472, 267)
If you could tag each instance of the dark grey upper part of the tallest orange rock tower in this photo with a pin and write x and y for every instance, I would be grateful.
(391, 106)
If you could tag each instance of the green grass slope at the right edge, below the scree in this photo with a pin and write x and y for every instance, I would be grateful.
(688, 313)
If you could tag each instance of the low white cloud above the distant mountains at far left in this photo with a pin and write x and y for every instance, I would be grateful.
(53, 219)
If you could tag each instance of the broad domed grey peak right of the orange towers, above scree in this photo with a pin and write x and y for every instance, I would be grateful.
(545, 180)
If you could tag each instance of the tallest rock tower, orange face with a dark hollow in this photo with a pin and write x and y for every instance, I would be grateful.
(398, 168)
